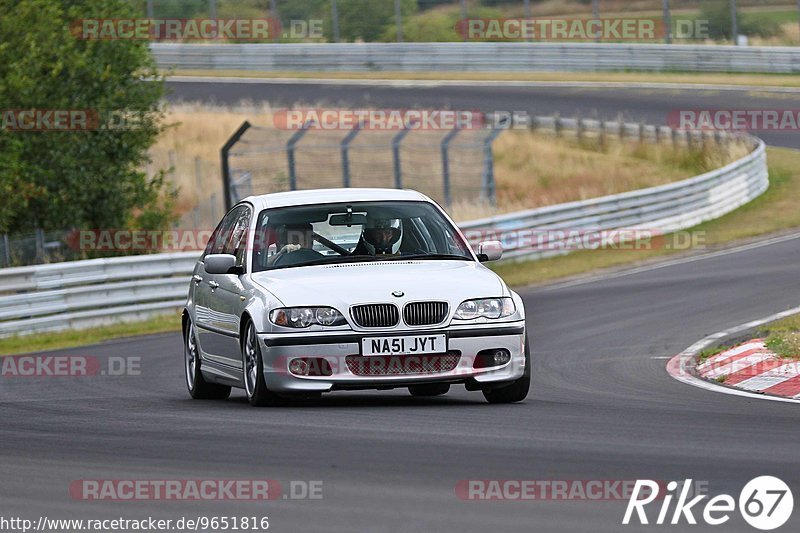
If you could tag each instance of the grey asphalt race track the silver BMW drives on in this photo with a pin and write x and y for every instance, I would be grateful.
(602, 406)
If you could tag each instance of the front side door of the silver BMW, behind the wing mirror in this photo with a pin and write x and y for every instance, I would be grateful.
(225, 296)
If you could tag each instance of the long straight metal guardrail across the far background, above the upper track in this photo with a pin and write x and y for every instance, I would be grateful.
(486, 57)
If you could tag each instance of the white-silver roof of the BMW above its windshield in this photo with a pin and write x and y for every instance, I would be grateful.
(329, 196)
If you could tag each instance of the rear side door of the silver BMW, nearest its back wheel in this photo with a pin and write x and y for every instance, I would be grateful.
(212, 344)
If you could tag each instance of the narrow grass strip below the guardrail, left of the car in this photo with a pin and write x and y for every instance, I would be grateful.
(67, 339)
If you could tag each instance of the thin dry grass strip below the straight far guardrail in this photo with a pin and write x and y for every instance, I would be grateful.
(756, 80)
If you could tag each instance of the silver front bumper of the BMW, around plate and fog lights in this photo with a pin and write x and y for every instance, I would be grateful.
(278, 350)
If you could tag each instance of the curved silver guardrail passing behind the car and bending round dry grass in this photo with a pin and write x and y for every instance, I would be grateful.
(85, 293)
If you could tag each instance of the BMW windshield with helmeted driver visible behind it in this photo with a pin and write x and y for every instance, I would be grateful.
(354, 232)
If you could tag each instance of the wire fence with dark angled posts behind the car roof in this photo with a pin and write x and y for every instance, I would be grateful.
(450, 166)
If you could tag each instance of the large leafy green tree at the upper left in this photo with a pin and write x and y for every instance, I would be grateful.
(73, 179)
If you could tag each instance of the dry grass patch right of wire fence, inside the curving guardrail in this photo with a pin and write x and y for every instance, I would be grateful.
(535, 170)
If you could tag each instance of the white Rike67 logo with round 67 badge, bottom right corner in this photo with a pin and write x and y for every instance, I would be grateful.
(765, 503)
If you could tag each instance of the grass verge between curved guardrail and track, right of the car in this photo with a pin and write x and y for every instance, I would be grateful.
(774, 211)
